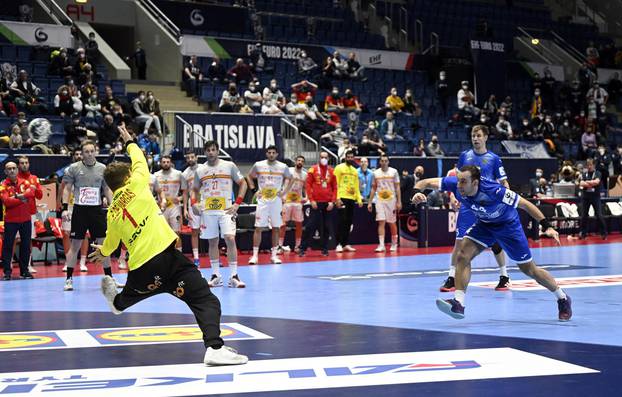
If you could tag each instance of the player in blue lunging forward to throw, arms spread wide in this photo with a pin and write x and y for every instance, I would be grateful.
(494, 207)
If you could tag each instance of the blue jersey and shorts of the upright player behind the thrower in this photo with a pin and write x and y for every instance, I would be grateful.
(490, 167)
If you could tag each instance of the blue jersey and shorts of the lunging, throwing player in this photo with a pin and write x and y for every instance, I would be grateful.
(497, 219)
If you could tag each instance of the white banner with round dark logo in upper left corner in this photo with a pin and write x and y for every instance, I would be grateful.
(35, 34)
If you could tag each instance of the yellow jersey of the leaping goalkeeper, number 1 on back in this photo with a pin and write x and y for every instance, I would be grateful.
(134, 217)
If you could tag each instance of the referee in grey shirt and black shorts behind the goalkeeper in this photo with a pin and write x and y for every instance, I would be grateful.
(86, 180)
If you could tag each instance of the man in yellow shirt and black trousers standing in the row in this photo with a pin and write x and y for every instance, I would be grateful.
(348, 192)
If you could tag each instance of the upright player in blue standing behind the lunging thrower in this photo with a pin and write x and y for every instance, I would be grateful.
(490, 167)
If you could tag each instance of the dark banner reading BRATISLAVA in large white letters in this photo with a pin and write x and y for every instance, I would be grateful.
(244, 137)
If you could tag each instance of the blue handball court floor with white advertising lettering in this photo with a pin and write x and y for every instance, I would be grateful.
(356, 327)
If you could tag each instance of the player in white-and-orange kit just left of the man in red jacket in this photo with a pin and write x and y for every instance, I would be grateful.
(292, 209)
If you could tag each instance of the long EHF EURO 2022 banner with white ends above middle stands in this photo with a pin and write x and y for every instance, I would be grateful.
(202, 46)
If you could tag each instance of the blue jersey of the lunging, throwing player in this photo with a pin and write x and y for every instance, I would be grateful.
(492, 203)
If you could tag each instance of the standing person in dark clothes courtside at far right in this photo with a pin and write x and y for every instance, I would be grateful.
(590, 186)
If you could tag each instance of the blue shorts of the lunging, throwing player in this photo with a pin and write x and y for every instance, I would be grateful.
(509, 235)
